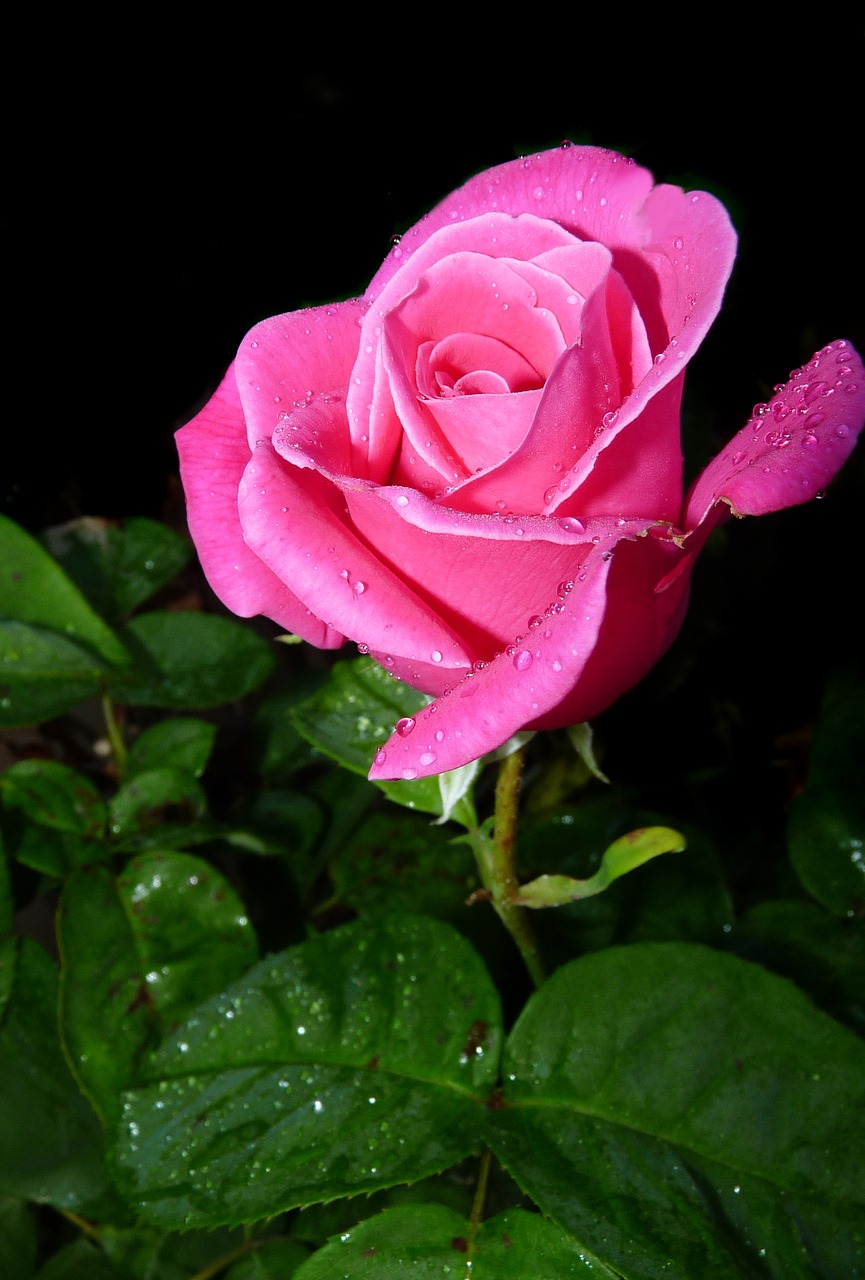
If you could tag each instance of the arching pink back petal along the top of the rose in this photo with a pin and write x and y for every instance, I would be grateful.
(675, 250)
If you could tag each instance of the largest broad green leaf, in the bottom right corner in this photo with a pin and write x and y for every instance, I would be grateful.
(684, 1113)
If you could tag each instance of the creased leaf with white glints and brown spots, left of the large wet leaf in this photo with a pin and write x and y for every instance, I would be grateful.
(138, 954)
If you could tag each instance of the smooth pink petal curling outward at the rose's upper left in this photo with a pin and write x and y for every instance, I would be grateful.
(287, 360)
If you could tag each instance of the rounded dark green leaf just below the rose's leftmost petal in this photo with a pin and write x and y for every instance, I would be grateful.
(190, 661)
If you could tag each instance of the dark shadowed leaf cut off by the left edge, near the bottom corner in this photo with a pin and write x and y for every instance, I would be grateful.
(51, 1141)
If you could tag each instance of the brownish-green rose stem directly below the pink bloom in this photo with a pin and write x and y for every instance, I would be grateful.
(496, 865)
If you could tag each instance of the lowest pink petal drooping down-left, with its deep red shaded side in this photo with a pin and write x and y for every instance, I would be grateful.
(589, 647)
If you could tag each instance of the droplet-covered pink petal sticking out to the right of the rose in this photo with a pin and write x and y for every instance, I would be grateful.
(790, 450)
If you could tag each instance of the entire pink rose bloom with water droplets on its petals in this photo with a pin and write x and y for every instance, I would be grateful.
(475, 472)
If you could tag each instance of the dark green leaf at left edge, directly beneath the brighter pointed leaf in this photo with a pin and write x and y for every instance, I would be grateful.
(43, 674)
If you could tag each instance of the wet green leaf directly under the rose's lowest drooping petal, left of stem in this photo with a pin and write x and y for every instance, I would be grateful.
(355, 712)
